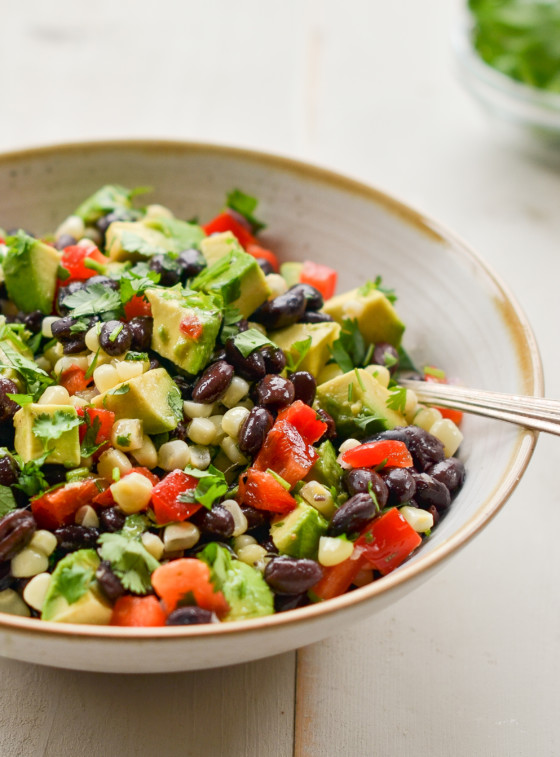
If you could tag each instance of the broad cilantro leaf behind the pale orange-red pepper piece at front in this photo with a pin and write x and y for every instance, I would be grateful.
(130, 561)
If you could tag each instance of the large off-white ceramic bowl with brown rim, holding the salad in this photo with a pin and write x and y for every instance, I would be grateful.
(458, 315)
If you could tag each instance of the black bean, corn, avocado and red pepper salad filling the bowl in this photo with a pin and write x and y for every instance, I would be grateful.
(193, 432)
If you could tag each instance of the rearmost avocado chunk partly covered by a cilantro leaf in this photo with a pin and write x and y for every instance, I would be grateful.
(138, 240)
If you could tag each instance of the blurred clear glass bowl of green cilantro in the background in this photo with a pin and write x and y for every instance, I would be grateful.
(509, 59)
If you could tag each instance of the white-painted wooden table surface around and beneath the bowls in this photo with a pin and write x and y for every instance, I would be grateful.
(468, 664)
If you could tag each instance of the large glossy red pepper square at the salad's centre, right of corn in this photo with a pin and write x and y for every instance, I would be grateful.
(285, 452)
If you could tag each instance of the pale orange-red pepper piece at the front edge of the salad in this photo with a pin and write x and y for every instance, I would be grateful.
(185, 576)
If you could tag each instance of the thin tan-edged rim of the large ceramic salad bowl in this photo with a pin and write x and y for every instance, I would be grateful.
(513, 316)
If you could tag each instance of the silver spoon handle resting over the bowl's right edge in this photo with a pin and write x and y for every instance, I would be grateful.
(532, 412)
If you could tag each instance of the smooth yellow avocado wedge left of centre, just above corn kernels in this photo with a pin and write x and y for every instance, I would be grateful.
(152, 397)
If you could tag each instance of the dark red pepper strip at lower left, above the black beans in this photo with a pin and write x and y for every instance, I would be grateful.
(58, 507)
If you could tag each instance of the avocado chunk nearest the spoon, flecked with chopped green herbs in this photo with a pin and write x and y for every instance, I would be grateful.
(358, 404)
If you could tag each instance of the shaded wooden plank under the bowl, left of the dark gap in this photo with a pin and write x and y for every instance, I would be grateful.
(242, 711)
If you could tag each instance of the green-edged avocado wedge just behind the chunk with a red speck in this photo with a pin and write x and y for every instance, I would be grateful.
(238, 278)
